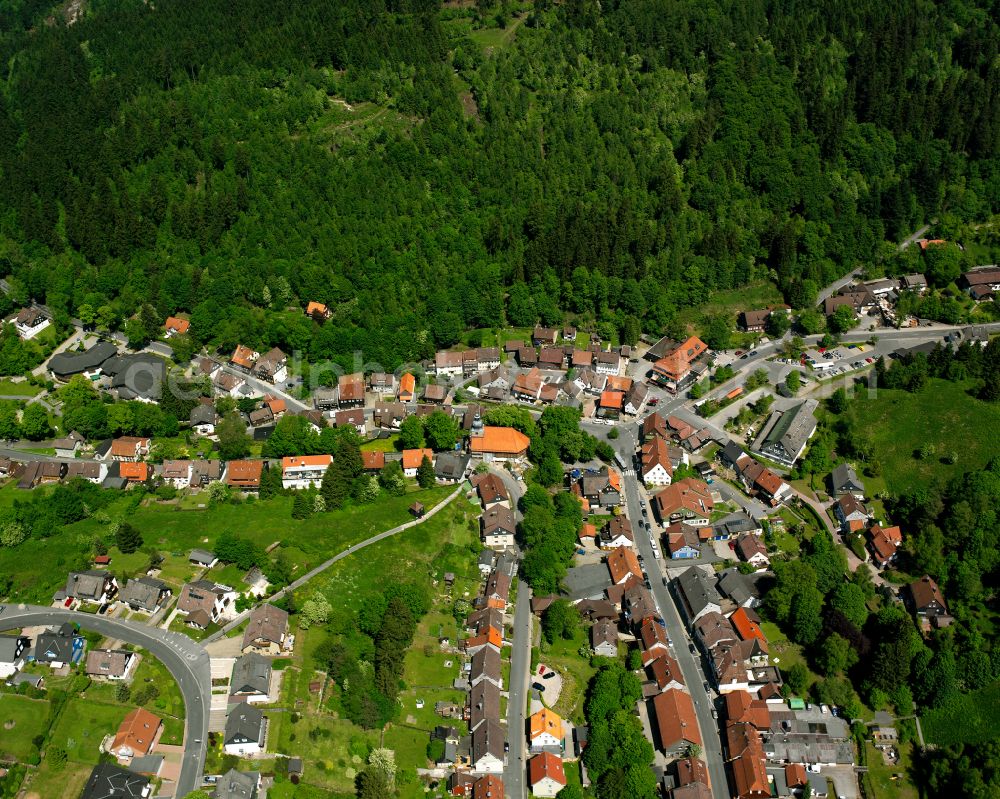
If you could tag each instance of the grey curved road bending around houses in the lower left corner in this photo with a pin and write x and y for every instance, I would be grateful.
(185, 659)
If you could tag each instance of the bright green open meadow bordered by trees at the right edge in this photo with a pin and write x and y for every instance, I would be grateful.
(900, 423)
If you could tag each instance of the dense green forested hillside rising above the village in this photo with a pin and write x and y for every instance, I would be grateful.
(617, 160)
